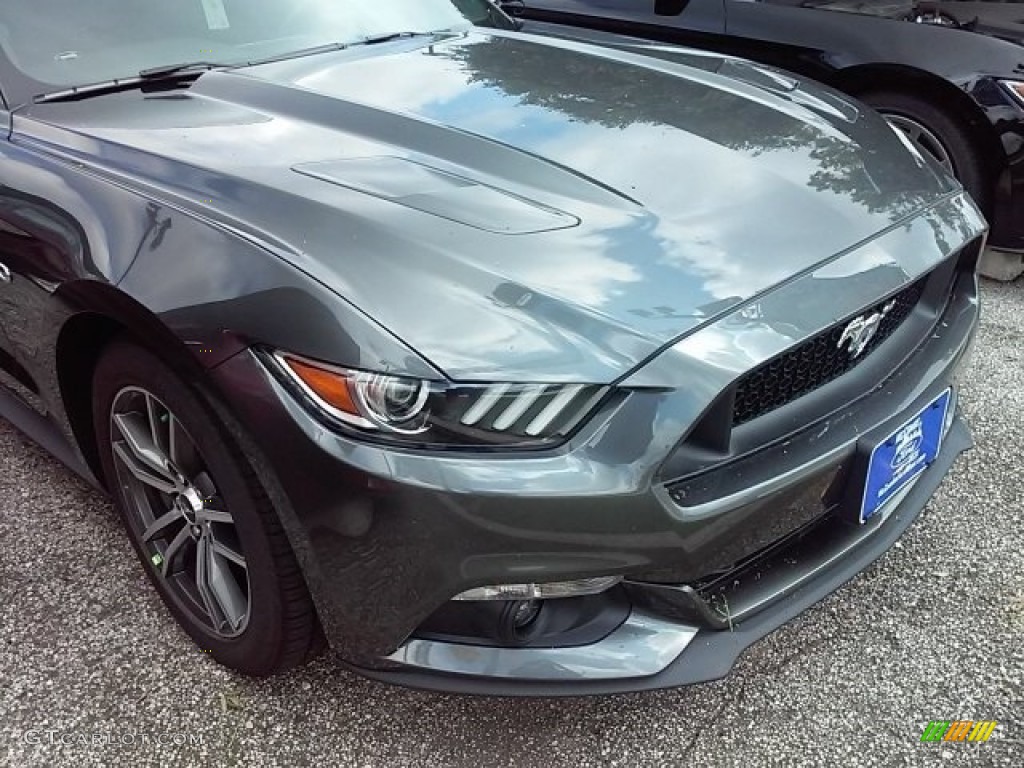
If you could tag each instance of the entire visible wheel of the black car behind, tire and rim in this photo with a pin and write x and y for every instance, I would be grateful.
(938, 136)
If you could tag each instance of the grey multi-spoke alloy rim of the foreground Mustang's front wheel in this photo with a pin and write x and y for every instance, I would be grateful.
(177, 514)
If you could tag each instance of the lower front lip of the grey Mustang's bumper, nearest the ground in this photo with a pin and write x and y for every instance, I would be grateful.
(682, 654)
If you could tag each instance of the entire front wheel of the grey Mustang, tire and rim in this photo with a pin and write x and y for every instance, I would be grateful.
(199, 519)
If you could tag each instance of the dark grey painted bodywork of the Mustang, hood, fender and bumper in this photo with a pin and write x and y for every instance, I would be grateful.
(494, 207)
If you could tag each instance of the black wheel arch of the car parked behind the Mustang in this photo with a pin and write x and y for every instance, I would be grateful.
(957, 104)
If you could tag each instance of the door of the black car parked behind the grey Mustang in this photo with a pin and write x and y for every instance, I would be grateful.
(686, 22)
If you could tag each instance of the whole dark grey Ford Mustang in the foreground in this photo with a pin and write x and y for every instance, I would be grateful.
(388, 325)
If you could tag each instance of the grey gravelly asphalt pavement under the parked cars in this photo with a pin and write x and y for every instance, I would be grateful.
(95, 673)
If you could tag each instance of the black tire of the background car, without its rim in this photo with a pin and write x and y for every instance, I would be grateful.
(966, 159)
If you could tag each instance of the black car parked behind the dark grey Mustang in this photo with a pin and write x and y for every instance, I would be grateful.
(951, 75)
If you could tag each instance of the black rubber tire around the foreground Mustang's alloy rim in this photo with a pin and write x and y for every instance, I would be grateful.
(281, 629)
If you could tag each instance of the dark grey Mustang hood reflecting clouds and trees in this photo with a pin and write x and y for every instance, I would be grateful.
(515, 206)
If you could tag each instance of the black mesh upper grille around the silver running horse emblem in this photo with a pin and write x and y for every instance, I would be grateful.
(817, 362)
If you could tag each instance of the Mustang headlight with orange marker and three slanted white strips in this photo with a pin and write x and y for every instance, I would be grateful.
(431, 413)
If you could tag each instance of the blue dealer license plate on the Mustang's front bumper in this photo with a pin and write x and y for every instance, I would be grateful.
(904, 456)
